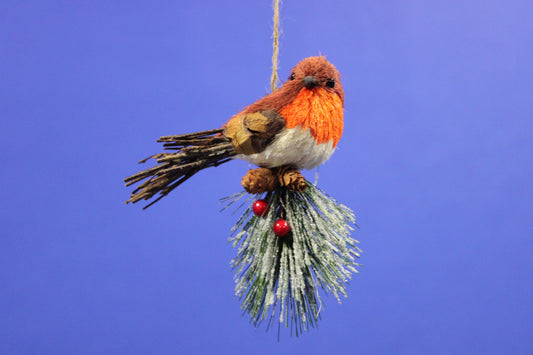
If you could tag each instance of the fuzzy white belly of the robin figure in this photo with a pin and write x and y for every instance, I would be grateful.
(294, 147)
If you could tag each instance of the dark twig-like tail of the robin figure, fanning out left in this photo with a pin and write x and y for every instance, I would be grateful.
(191, 153)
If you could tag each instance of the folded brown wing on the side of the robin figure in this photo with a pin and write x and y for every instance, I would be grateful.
(252, 132)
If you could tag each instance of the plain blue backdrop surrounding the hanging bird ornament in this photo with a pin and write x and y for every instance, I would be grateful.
(435, 160)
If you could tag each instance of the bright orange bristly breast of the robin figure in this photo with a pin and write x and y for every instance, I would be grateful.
(319, 110)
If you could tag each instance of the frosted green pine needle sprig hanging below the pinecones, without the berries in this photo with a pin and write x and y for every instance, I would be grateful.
(278, 278)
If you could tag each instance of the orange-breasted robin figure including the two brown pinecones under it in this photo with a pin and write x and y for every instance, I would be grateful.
(296, 127)
